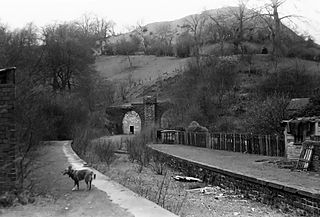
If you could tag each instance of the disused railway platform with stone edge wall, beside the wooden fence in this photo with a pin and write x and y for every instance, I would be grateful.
(253, 175)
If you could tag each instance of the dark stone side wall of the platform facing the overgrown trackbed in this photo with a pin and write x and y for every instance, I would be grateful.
(262, 191)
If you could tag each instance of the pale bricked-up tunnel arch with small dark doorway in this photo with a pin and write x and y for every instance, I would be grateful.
(131, 123)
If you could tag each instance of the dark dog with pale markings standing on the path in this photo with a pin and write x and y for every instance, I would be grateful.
(78, 175)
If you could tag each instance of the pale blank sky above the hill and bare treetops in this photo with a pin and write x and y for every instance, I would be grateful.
(125, 13)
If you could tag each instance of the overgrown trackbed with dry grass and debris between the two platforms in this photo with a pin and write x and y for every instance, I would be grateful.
(176, 197)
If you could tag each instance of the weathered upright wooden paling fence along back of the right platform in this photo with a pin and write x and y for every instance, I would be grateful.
(269, 145)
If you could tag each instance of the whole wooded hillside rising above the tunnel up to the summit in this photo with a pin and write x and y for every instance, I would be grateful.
(237, 77)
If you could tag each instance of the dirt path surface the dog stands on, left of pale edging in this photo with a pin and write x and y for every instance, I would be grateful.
(56, 197)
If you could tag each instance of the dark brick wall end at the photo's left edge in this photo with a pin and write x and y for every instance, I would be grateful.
(8, 173)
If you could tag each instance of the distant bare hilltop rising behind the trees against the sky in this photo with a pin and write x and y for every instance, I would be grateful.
(226, 17)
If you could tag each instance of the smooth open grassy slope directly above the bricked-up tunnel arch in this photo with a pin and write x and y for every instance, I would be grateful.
(145, 72)
